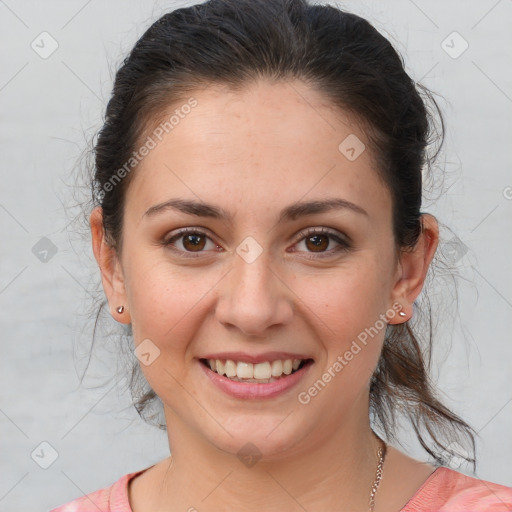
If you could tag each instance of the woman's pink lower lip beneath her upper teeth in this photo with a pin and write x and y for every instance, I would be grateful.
(251, 390)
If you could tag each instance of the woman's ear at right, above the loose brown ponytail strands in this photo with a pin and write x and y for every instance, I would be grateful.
(412, 268)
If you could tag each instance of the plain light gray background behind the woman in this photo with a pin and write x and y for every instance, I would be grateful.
(49, 109)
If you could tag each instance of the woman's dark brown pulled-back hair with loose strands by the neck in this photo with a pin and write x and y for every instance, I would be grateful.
(234, 42)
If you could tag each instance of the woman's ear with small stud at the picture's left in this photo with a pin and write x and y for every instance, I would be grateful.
(110, 267)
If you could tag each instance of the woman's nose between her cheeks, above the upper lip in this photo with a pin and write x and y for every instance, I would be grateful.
(254, 297)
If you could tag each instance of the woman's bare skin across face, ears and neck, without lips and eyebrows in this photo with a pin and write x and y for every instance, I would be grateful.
(254, 152)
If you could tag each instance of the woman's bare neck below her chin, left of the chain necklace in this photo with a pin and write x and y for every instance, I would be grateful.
(339, 468)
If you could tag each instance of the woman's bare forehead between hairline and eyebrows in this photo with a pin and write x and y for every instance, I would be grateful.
(279, 140)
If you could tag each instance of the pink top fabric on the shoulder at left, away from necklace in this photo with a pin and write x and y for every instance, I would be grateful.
(113, 498)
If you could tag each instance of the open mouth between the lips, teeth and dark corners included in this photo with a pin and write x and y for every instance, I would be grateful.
(258, 373)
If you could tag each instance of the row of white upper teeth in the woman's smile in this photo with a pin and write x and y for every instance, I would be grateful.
(249, 372)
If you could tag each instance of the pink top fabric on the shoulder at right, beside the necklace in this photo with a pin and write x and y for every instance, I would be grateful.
(447, 490)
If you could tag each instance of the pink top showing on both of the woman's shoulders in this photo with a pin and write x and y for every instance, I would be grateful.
(445, 490)
